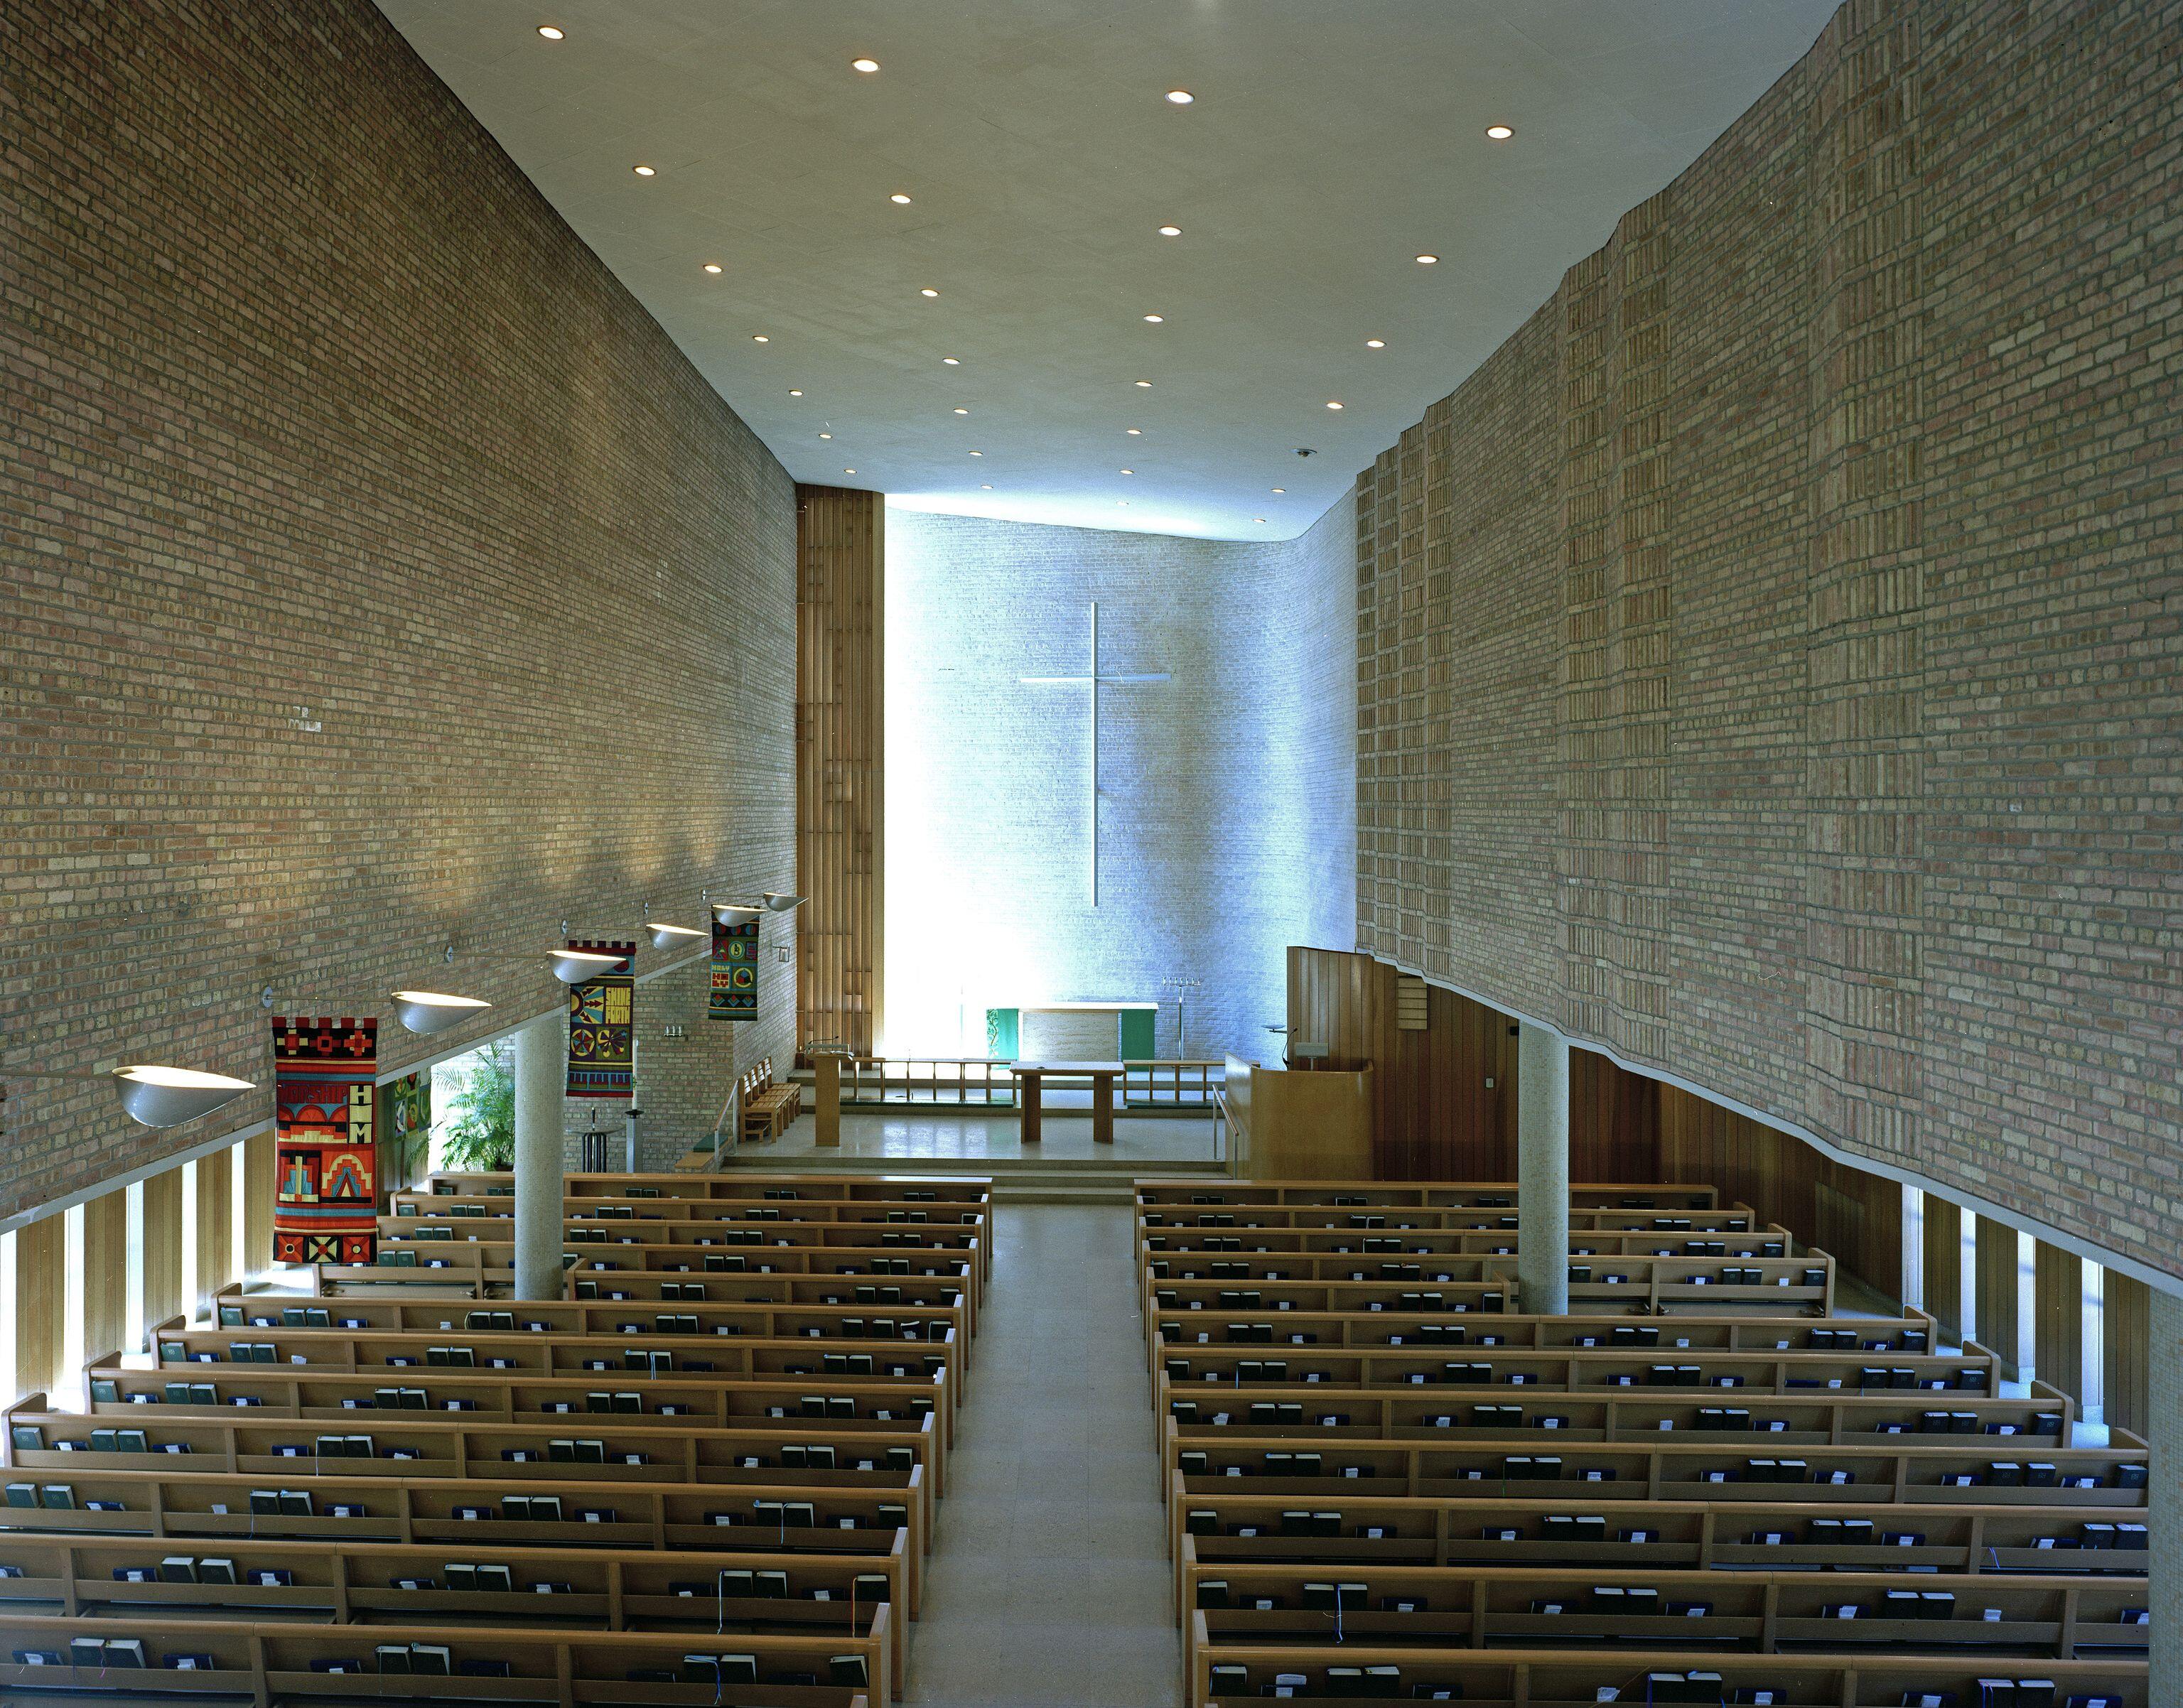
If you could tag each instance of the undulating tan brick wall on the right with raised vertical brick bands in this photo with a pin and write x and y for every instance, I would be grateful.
(1769, 660)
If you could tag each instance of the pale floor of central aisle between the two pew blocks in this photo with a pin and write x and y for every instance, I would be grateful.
(1051, 1567)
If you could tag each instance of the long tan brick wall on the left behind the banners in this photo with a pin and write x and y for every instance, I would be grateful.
(379, 575)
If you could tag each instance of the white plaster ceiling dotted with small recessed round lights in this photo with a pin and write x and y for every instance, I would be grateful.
(1328, 145)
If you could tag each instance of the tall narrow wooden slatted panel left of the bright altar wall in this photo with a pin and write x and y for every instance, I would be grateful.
(842, 749)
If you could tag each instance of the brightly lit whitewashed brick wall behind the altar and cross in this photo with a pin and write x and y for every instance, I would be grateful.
(1228, 793)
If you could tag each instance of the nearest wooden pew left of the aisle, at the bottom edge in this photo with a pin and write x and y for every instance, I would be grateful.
(276, 1663)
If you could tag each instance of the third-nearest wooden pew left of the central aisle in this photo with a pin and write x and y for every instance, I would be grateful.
(789, 1519)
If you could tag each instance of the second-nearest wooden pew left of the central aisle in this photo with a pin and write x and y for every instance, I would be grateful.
(499, 1589)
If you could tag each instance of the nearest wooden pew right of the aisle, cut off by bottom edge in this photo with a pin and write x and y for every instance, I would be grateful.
(1643, 1676)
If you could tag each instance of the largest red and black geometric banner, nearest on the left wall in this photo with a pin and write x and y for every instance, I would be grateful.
(324, 1159)
